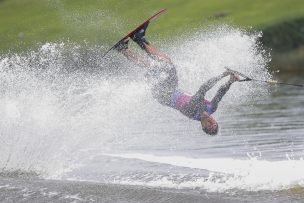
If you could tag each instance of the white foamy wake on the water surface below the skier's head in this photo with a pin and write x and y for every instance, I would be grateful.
(250, 175)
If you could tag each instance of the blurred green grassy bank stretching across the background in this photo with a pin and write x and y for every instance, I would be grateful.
(24, 23)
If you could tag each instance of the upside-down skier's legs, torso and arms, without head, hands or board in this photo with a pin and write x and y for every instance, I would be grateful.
(165, 87)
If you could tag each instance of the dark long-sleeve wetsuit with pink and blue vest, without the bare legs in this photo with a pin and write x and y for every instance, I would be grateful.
(166, 92)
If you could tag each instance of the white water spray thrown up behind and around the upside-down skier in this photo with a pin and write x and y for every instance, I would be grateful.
(63, 100)
